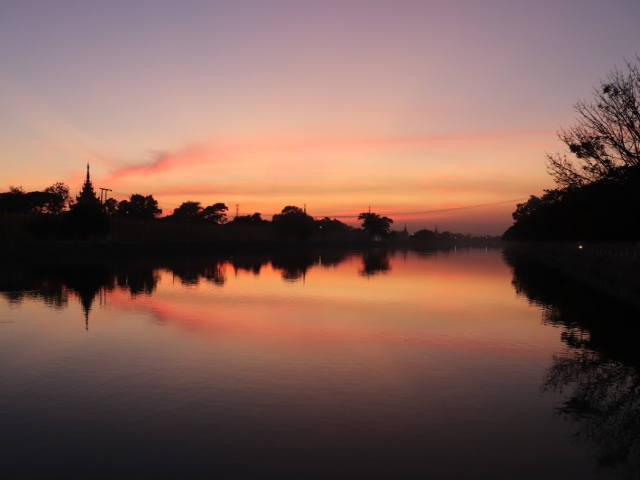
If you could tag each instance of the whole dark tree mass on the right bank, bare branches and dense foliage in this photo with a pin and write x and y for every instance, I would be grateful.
(598, 194)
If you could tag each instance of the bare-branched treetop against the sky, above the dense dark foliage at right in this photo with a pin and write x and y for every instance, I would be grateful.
(606, 136)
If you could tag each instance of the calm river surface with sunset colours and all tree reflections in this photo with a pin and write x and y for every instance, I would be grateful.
(459, 364)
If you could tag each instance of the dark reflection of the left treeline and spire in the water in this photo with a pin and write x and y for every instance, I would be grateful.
(54, 283)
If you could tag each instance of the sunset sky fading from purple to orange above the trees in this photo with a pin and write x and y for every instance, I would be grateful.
(408, 107)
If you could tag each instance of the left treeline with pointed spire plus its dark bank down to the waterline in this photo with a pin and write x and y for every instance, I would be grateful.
(53, 215)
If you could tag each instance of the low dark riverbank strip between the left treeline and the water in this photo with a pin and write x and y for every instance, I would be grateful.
(25, 237)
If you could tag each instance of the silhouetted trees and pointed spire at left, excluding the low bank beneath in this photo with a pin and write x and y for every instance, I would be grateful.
(54, 211)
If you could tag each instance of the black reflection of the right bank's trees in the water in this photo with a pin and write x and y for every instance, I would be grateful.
(600, 366)
